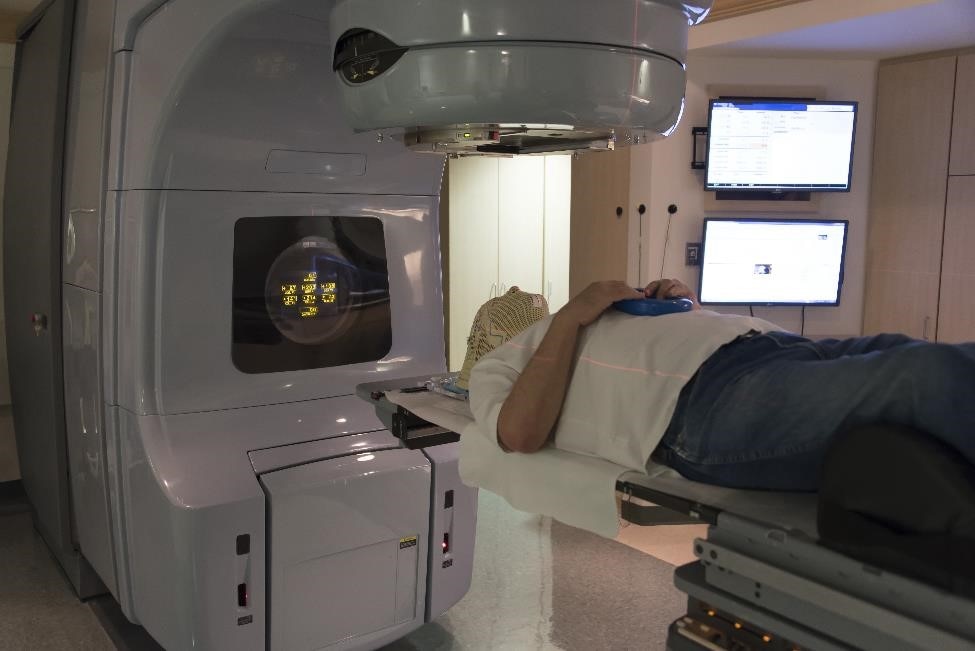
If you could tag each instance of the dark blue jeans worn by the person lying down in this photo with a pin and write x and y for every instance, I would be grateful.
(761, 411)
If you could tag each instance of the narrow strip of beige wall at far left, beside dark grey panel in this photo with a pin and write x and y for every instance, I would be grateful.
(8, 450)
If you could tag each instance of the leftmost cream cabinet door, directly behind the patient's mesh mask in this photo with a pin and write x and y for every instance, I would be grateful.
(473, 197)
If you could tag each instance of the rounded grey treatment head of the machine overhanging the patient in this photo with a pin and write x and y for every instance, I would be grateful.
(468, 76)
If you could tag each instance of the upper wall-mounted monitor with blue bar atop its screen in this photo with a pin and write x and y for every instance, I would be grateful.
(780, 145)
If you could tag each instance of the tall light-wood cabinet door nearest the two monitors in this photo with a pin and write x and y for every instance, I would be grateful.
(910, 164)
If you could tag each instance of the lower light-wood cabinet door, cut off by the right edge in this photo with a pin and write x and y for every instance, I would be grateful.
(956, 314)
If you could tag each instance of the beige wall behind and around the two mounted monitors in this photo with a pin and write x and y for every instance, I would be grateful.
(672, 181)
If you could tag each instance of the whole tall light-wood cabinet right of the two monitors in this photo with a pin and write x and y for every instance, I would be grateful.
(920, 221)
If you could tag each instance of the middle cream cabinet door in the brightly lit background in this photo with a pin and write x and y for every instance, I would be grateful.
(521, 211)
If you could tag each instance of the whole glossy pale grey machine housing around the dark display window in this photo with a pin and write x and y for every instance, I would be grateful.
(219, 542)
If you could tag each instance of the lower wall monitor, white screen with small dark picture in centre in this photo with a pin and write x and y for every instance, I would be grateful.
(751, 261)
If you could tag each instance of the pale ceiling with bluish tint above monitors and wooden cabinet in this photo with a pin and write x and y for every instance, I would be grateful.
(849, 29)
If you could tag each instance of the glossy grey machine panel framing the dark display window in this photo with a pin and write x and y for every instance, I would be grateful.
(176, 272)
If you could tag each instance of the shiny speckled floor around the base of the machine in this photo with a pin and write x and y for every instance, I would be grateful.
(537, 584)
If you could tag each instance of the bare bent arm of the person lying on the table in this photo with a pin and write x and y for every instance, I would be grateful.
(531, 410)
